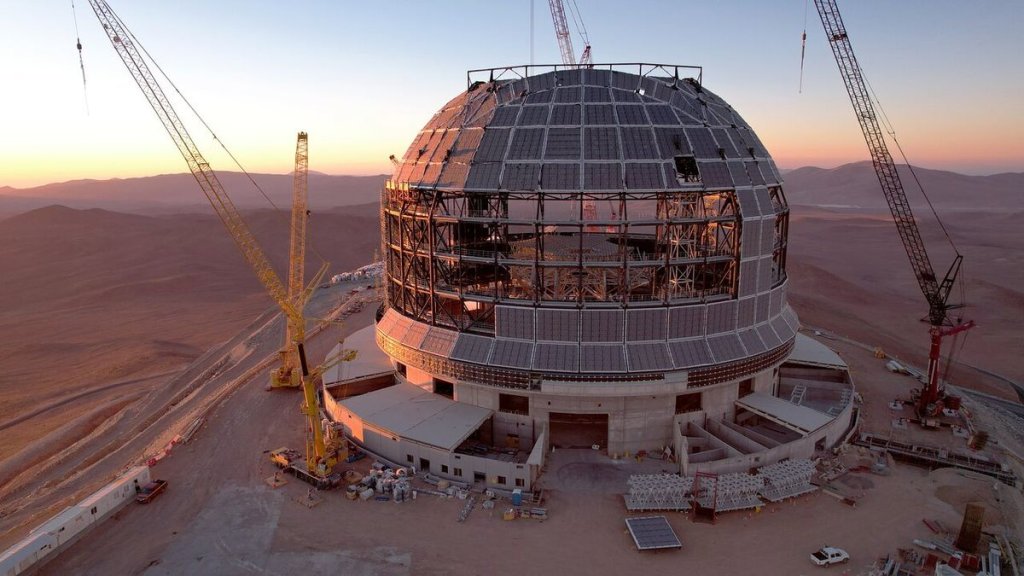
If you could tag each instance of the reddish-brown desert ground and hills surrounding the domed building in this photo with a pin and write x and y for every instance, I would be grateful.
(105, 310)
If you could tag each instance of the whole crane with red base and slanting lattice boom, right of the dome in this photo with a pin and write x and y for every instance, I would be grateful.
(931, 399)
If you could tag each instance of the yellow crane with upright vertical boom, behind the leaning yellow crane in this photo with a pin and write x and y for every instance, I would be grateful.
(287, 375)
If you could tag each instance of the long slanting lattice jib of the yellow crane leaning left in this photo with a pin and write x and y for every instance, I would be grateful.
(205, 177)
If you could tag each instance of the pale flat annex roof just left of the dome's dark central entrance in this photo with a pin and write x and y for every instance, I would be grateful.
(416, 415)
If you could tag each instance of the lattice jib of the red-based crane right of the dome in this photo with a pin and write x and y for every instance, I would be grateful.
(885, 169)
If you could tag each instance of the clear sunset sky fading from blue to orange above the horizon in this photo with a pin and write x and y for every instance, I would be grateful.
(364, 77)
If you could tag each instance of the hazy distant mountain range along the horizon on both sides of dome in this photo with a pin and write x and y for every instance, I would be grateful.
(851, 187)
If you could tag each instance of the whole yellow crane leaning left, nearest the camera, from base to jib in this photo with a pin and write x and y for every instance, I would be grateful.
(319, 462)
